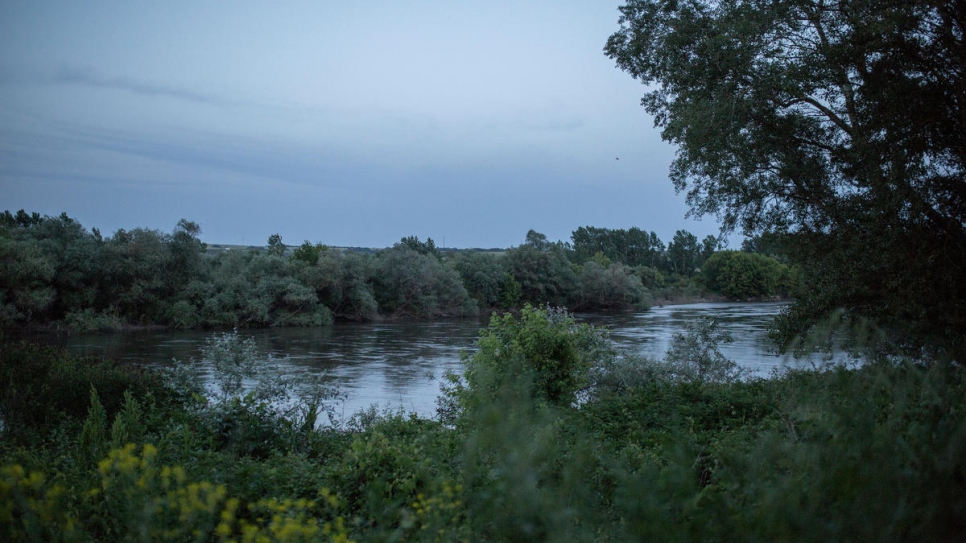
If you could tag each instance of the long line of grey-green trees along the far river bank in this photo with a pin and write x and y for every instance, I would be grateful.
(55, 271)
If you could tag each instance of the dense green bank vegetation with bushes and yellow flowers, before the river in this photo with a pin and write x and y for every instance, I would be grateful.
(549, 435)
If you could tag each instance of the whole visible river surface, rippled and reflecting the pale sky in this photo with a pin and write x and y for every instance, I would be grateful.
(399, 364)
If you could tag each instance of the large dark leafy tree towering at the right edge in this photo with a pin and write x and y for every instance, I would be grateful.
(840, 125)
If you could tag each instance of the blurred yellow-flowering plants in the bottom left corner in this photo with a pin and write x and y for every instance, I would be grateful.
(138, 500)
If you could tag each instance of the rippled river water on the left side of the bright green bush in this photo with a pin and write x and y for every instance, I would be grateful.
(389, 364)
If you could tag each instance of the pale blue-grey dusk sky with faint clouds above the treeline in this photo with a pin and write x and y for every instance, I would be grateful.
(344, 123)
